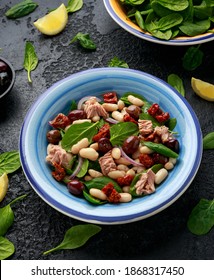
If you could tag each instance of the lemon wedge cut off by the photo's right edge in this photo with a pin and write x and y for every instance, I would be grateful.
(203, 89)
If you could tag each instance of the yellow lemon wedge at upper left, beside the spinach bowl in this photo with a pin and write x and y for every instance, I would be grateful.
(54, 22)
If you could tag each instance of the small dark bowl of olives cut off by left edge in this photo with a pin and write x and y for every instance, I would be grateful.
(7, 77)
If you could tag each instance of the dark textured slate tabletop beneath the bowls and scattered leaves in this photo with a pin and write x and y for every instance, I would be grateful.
(37, 226)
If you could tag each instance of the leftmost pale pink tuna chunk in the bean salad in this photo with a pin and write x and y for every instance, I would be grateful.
(56, 154)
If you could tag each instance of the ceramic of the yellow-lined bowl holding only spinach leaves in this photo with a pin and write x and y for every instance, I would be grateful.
(117, 13)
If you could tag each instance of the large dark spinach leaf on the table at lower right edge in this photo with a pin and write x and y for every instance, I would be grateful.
(201, 219)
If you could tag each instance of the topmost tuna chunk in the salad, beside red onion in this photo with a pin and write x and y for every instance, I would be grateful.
(92, 108)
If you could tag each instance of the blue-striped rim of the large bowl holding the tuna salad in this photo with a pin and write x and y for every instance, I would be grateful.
(100, 219)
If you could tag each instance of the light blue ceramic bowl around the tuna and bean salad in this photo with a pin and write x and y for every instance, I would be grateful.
(58, 98)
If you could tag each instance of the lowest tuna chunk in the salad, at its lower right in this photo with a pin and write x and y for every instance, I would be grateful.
(146, 183)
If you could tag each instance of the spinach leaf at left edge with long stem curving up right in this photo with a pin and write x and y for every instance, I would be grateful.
(7, 216)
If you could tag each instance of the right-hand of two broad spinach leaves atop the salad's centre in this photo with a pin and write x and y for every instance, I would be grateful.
(120, 131)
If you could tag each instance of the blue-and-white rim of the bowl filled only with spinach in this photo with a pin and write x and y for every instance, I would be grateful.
(180, 41)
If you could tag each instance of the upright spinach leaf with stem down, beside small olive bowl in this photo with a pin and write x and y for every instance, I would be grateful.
(30, 59)
